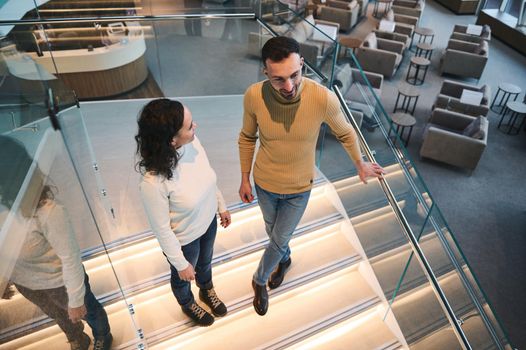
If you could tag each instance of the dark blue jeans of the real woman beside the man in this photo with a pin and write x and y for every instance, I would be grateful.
(198, 253)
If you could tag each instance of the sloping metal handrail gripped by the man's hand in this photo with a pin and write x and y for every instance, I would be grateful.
(444, 303)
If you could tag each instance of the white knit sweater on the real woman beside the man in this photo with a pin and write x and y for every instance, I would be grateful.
(181, 209)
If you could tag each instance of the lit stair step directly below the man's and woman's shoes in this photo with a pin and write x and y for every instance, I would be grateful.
(289, 314)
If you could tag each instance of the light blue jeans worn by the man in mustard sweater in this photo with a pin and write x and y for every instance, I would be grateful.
(281, 213)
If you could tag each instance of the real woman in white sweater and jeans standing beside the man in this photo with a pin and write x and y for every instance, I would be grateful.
(180, 195)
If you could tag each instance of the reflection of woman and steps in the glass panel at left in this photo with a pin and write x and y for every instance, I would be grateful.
(43, 239)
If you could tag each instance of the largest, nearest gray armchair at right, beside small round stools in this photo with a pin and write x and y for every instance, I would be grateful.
(445, 139)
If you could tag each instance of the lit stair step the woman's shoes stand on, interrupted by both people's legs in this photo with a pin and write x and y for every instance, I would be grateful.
(314, 253)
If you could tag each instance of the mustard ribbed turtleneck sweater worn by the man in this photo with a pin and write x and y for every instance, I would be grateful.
(288, 131)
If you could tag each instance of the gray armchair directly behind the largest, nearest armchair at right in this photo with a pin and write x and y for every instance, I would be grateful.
(449, 98)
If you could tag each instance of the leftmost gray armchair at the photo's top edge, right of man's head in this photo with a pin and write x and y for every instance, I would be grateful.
(341, 12)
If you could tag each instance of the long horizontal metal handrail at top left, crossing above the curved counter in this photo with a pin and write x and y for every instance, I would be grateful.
(245, 15)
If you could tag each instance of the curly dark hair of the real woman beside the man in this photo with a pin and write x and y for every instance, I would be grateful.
(159, 121)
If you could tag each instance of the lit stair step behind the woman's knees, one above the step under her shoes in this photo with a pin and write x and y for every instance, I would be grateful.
(245, 234)
